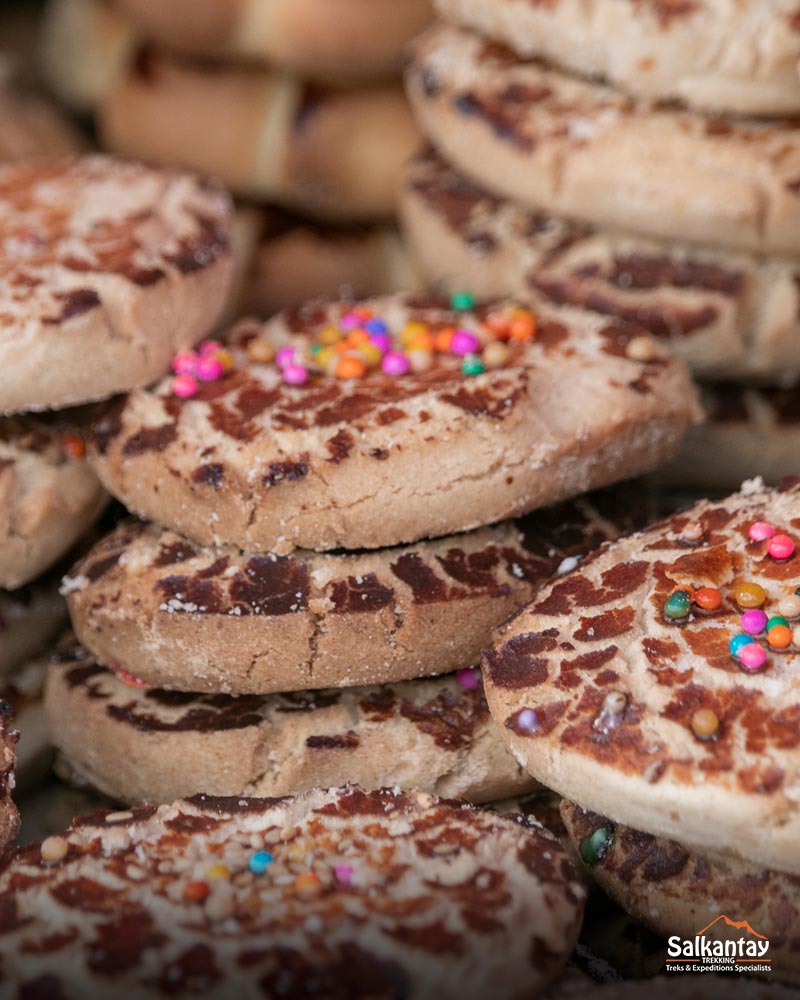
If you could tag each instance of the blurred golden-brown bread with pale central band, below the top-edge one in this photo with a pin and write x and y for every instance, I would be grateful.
(335, 154)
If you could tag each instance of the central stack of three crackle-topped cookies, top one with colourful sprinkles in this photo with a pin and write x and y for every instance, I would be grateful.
(289, 615)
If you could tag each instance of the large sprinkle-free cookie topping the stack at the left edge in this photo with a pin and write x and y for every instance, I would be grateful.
(110, 269)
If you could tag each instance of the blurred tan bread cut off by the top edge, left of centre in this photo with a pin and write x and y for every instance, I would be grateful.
(330, 40)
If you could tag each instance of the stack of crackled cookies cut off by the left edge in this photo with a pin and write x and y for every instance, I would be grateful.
(107, 268)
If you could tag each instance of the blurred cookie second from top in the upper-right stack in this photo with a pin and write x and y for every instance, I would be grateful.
(587, 152)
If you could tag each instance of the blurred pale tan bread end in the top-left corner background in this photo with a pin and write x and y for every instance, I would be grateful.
(84, 48)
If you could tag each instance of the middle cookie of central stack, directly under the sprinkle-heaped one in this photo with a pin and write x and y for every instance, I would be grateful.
(220, 620)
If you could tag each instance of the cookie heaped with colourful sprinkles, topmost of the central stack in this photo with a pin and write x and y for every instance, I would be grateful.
(372, 461)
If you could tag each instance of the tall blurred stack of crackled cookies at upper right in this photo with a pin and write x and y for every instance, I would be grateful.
(640, 160)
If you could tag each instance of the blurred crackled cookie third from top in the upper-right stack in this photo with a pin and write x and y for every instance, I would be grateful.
(729, 315)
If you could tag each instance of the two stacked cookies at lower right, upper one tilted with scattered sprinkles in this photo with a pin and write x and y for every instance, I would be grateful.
(656, 689)
